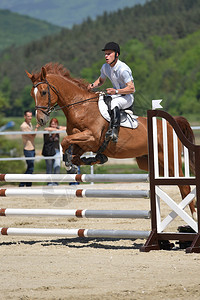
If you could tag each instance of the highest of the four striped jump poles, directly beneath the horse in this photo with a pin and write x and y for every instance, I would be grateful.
(74, 177)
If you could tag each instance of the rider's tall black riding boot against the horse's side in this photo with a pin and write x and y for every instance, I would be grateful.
(115, 124)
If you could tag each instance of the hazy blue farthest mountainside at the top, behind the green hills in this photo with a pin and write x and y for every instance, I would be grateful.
(66, 13)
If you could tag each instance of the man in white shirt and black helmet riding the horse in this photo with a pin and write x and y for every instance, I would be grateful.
(123, 88)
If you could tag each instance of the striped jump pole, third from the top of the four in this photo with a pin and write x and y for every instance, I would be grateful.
(79, 213)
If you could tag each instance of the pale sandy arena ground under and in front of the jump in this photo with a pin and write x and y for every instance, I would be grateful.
(61, 268)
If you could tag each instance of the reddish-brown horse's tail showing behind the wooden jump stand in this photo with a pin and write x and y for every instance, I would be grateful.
(188, 132)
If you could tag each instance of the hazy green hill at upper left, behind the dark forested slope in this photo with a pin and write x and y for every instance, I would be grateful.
(19, 30)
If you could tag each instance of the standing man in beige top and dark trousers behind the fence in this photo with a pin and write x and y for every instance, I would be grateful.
(28, 142)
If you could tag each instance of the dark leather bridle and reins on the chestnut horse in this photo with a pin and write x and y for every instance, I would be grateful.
(48, 109)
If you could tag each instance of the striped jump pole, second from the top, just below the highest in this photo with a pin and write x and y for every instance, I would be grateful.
(52, 192)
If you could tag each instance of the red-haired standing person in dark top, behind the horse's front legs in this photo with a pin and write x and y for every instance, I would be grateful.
(51, 147)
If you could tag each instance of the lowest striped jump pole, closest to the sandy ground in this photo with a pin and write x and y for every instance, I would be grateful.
(72, 233)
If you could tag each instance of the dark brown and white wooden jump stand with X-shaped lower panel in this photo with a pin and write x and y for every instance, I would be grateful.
(158, 225)
